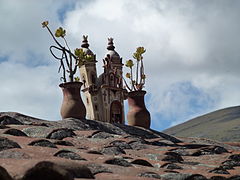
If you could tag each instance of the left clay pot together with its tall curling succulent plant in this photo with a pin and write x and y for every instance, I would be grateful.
(69, 62)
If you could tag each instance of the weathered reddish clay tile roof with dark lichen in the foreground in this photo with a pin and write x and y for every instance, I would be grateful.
(70, 149)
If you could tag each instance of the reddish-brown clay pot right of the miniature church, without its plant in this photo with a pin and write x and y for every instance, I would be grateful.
(138, 115)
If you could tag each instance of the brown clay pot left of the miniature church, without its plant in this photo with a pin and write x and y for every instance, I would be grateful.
(72, 105)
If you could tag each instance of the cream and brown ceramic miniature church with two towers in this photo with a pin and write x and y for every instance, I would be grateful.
(104, 93)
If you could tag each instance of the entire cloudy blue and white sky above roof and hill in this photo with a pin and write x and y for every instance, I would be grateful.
(192, 60)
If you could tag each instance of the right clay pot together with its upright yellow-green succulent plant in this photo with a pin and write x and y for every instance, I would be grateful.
(138, 115)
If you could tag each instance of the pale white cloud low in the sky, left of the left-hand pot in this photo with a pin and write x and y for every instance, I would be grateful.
(30, 90)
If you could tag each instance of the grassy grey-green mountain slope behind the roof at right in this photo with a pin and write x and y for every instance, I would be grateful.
(220, 125)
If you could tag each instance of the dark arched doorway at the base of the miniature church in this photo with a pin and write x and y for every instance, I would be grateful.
(116, 112)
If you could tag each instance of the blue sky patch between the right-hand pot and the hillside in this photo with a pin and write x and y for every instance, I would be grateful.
(184, 101)
